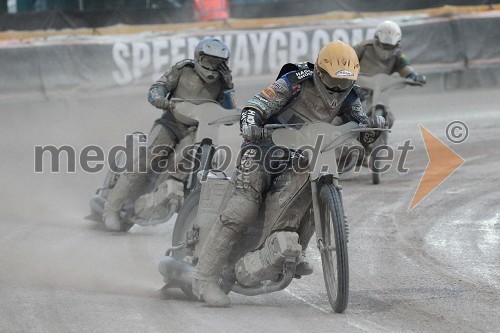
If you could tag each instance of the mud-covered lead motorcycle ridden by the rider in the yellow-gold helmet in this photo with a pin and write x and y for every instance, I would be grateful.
(265, 258)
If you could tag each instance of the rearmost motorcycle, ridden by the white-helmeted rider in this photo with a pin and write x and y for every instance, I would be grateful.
(376, 95)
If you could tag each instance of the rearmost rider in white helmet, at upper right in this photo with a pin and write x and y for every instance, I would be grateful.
(383, 54)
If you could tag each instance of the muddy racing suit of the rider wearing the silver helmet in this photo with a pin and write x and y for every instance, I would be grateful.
(181, 81)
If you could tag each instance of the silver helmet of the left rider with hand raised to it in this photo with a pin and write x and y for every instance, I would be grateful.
(209, 54)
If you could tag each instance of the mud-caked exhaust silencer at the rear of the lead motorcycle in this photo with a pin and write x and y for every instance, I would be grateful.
(176, 273)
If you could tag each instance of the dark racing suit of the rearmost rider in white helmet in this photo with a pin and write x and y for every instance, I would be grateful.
(371, 64)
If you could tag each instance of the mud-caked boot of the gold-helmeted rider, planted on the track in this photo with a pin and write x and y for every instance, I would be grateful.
(213, 257)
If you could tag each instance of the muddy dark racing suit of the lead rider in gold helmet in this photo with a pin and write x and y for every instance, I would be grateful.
(292, 99)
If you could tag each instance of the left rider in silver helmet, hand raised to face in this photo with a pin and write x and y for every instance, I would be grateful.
(206, 77)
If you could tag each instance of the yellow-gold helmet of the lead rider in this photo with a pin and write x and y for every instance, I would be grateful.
(335, 71)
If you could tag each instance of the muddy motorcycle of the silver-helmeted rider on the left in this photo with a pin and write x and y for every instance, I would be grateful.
(197, 151)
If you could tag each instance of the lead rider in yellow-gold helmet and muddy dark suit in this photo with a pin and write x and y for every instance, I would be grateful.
(309, 93)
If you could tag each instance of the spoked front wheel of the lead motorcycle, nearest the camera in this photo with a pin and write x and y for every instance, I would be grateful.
(334, 254)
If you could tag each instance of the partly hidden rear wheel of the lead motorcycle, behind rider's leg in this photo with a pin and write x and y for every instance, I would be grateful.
(185, 221)
